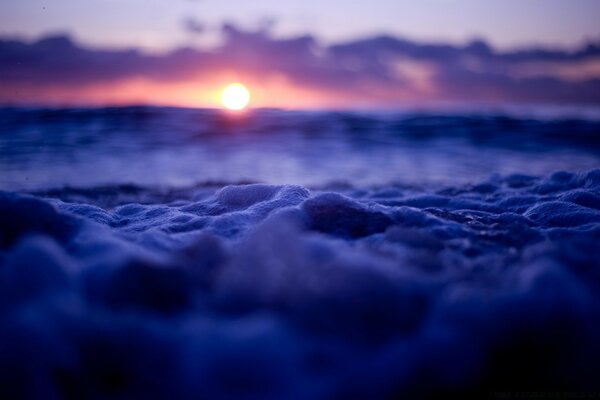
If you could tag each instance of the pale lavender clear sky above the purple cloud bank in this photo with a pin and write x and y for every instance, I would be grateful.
(161, 23)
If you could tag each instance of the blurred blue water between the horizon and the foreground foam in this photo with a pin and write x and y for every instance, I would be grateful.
(54, 148)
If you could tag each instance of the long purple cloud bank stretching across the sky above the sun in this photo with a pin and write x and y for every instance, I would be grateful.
(381, 70)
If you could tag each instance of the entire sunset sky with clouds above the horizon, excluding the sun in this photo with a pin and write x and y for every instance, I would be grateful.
(308, 53)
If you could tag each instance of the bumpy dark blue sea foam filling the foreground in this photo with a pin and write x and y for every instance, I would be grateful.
(277, 292)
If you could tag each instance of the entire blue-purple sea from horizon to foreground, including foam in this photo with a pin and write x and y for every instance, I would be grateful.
(171, 253)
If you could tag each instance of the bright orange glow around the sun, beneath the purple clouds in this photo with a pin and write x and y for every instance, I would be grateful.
(274, 91)
